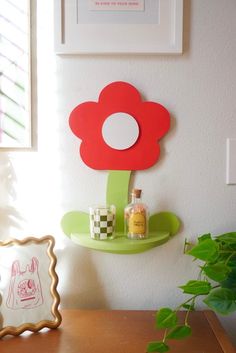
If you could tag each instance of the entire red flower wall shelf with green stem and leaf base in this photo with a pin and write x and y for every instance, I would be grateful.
(135, 128)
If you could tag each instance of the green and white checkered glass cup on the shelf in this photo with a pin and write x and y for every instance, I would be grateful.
(102, 222)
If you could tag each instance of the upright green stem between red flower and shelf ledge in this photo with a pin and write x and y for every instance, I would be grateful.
(117, 194)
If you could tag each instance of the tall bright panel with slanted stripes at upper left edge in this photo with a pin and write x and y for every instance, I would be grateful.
(15, 79)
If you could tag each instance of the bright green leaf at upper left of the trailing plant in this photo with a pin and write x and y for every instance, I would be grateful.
(206, 250)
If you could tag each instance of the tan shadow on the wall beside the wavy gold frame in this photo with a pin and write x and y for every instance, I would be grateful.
(79, 282)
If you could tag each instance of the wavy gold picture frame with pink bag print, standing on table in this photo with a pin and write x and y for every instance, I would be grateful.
(28, 286)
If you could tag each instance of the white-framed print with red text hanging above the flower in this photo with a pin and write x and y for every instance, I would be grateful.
(97, 27)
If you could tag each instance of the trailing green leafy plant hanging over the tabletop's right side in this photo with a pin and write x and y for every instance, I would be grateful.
(215, 285)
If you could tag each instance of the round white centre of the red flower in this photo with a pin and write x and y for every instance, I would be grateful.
(120, 131)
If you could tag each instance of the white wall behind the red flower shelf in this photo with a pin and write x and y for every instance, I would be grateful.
(199, 90)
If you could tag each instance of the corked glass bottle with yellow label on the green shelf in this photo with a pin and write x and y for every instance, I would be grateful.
(136, 217)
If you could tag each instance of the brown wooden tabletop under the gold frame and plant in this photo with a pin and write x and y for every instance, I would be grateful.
(117, 331)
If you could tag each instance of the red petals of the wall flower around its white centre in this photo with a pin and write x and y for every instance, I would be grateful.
(88, 119)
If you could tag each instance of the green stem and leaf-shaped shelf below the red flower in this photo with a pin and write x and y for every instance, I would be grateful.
(162, 225)
